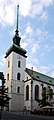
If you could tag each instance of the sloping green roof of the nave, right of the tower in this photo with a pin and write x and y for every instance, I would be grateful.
(40, 77)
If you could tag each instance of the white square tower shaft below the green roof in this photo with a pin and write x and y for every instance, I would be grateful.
(15, 86)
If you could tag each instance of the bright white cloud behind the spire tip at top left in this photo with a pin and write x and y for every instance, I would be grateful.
(8, 8)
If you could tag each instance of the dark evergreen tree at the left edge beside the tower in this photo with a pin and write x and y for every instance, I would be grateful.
(4, 98)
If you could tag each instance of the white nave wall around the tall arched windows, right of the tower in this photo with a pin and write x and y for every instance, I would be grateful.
(27, 103)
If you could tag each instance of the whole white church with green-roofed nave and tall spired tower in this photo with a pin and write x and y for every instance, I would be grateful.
(25, 86)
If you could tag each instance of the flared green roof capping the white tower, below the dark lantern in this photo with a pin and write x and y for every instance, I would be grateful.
(16, 49)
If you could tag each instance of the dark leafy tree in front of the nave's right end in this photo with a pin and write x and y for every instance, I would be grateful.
(47, 96)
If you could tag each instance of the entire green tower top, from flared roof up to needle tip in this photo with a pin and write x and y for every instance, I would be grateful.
(15, 47)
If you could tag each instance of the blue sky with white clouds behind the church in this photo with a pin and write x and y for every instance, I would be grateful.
(36, 29)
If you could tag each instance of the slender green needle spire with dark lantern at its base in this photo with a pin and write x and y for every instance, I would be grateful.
(16, 39)
